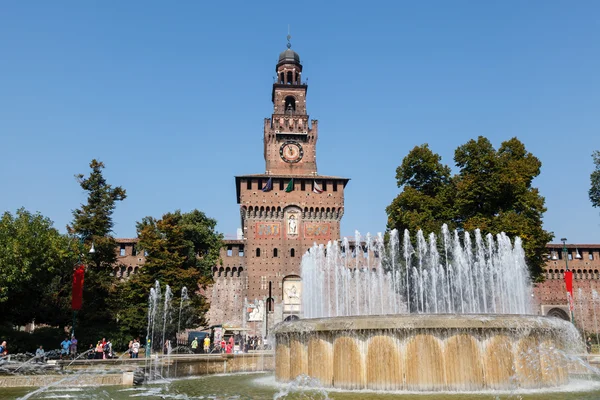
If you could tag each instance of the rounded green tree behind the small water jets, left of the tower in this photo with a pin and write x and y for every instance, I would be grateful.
(182, 249)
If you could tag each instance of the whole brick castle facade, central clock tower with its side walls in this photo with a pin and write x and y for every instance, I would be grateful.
(290, 206)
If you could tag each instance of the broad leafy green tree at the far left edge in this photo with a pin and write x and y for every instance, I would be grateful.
(36, 265)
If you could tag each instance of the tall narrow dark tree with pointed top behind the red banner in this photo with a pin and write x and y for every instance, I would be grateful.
(93, 223)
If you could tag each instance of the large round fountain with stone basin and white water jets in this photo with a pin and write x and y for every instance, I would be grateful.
(446, 315)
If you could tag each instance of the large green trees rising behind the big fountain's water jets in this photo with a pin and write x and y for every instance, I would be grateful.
(492, 191)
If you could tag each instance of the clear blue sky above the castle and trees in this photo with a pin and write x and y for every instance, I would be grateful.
(171, 96)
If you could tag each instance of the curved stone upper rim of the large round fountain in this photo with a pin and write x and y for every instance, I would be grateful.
(509, 322)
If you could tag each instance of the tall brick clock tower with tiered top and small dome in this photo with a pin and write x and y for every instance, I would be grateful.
(289, 207)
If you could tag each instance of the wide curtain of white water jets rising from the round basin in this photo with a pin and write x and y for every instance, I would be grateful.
(475, 274)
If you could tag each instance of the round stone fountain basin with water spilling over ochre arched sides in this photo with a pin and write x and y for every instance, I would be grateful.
(427, 352)
